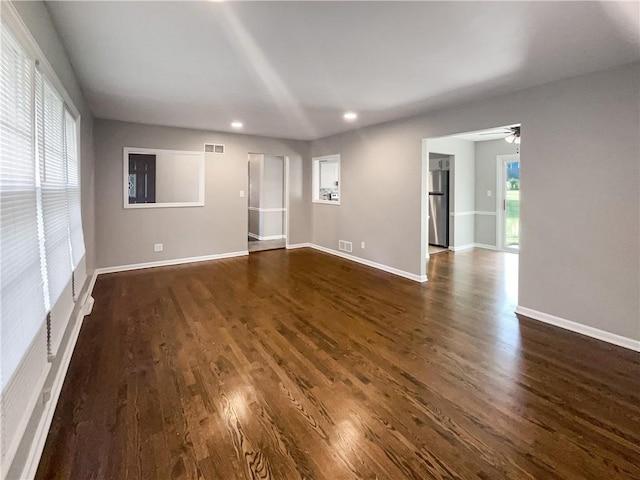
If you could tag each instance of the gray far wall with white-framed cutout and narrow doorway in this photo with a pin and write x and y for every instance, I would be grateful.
(127, 236)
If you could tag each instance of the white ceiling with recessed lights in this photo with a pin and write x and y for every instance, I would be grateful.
(291, 69)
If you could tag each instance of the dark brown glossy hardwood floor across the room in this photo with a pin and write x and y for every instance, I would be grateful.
(297, 364)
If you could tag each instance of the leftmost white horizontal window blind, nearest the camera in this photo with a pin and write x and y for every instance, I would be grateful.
(22, 307)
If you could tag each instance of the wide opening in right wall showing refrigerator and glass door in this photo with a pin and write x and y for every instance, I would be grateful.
(482, 172)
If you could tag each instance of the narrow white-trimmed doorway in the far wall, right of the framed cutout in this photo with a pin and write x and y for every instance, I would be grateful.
(267, 216)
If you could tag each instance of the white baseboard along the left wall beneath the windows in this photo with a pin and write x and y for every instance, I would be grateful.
(42, 430)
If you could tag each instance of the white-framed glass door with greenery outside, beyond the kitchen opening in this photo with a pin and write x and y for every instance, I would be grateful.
(508, 181)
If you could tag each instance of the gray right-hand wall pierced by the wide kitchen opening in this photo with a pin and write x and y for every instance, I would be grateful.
(580, 251)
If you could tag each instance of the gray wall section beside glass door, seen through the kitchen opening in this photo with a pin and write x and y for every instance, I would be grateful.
(486, 153)
